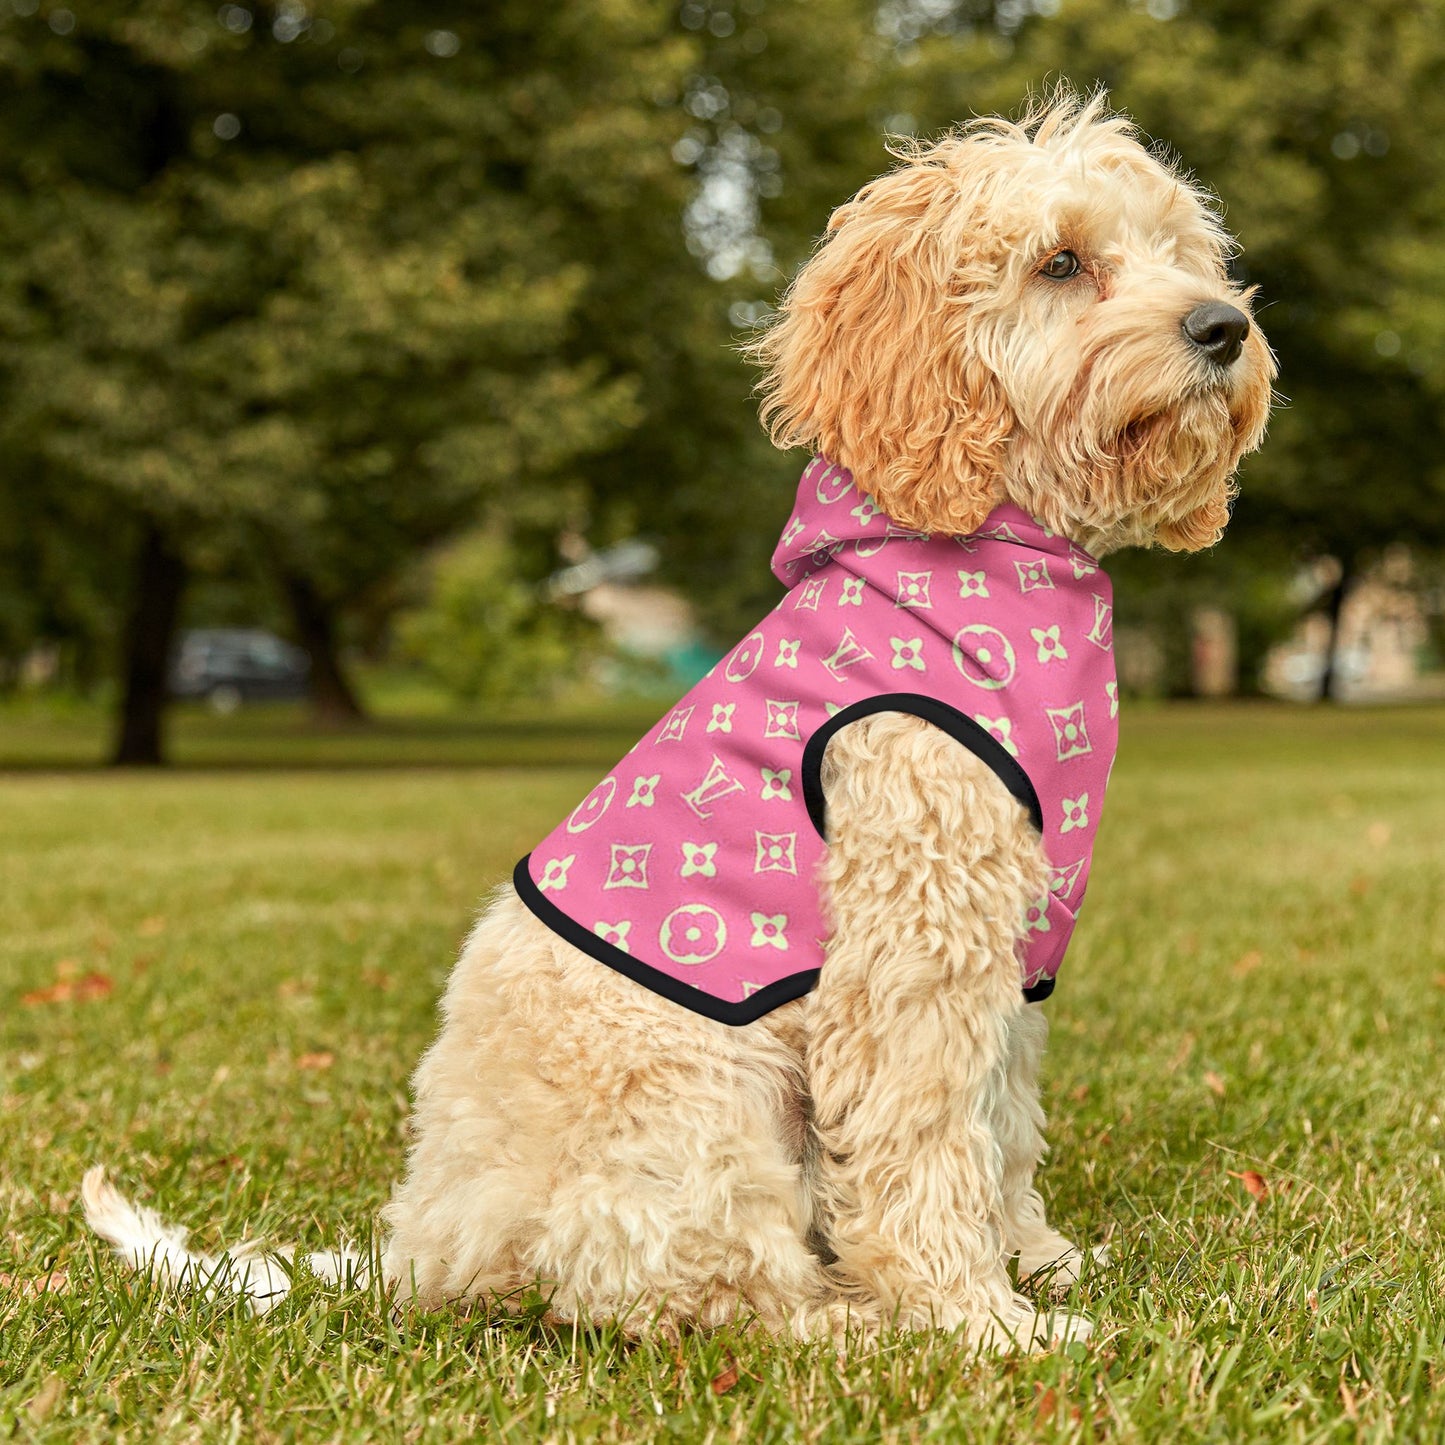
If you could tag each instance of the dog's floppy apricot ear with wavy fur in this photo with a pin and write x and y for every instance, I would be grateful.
(872, 359)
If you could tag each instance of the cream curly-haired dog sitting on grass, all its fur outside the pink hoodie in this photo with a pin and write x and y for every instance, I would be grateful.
(1034, 314)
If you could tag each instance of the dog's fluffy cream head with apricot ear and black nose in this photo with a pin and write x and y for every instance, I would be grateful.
(1035, 313)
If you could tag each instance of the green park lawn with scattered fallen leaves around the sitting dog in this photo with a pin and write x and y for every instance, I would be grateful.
(1255, 1005)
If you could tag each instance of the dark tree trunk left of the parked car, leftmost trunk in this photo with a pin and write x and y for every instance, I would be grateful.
(161, 576)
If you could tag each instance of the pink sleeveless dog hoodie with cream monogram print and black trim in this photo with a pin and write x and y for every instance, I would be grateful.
(693, 866)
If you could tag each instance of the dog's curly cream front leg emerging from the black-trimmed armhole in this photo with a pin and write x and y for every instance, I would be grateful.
(930, 868)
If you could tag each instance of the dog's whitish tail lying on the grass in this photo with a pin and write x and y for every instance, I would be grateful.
(147, 1243)
